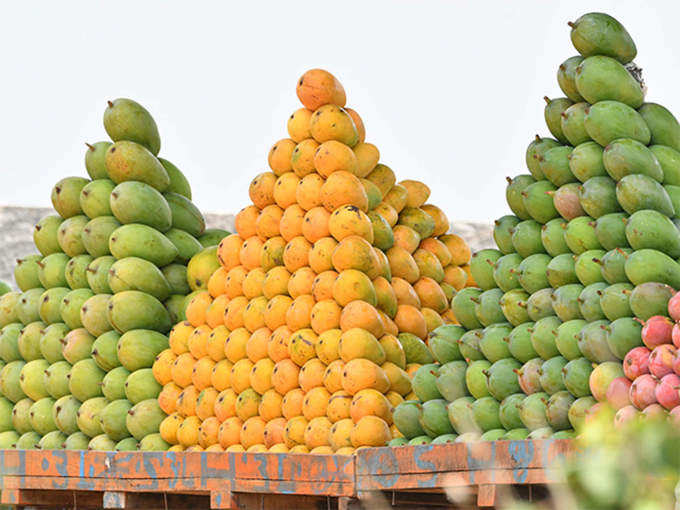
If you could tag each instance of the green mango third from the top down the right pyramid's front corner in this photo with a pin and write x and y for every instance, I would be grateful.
(607, 121)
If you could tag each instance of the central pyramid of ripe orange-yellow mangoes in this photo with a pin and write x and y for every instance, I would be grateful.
(321, 301)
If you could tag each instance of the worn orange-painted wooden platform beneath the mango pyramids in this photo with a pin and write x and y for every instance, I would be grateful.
(409, 476)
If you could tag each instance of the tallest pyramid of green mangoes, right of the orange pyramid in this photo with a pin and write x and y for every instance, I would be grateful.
(588, 255)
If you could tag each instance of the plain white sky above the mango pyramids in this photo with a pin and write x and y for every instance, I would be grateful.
(450, 91)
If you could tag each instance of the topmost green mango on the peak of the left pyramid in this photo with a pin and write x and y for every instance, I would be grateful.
(125, 119)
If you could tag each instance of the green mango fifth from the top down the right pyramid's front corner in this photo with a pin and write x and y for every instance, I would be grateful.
(636, 192)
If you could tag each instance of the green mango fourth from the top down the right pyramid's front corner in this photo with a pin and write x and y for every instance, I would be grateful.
(625, 157)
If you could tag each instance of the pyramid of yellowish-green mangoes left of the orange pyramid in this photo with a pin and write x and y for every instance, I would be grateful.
(78, 342)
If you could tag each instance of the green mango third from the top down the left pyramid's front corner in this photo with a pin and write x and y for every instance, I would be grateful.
(137, 202)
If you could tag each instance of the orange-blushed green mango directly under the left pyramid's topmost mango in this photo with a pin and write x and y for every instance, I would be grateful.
(129, 161)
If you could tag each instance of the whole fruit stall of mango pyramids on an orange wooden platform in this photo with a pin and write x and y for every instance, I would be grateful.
(343, 347)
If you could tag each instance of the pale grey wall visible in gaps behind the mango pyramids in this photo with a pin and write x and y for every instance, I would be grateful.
(16, 234)
